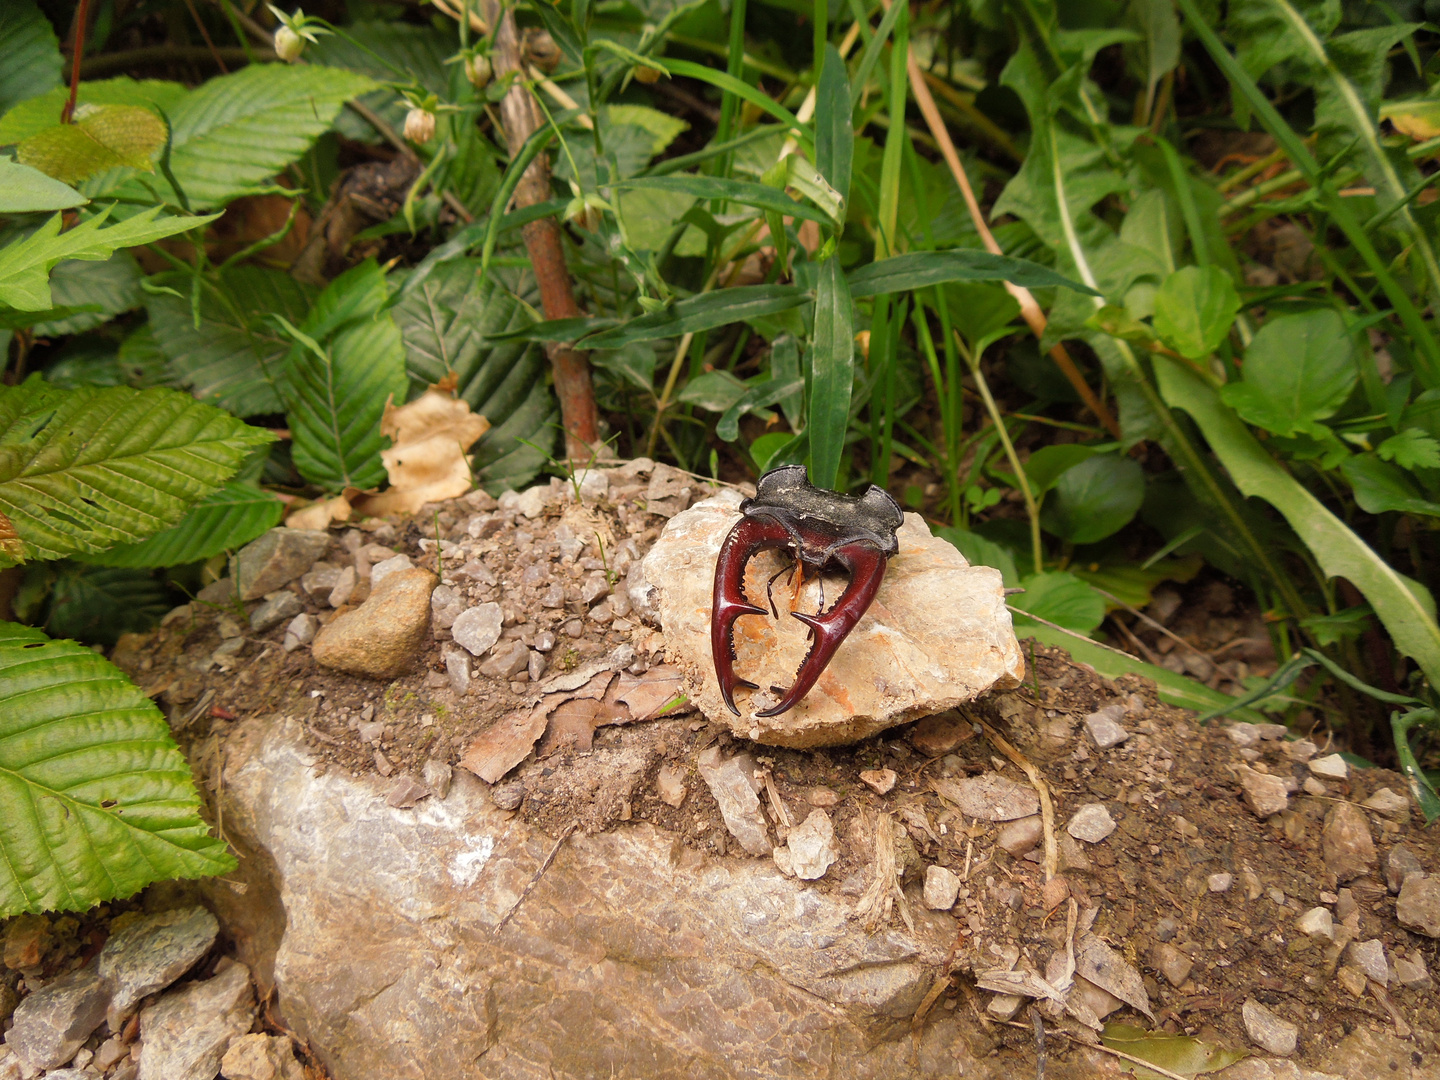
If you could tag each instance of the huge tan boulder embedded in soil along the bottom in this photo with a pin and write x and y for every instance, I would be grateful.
(631, 954)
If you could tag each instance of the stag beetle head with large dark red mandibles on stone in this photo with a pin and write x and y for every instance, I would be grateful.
(823, 532)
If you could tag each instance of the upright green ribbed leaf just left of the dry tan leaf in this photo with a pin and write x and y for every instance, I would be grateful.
(348, 361)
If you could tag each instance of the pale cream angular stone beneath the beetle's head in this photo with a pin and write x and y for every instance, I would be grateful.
(937, 636)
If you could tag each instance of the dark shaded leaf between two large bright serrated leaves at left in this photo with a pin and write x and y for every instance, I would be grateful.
(97, 604)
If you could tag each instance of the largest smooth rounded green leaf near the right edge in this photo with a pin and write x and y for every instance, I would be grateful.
(1298, 371)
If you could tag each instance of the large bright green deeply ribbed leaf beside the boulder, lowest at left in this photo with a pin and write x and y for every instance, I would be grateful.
(100, 798)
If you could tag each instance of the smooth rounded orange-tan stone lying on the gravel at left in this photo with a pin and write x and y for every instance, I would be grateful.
(382, 636)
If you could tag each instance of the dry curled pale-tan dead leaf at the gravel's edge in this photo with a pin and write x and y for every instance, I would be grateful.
(427, 459)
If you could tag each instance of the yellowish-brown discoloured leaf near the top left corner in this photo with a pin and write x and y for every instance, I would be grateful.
(103, 138)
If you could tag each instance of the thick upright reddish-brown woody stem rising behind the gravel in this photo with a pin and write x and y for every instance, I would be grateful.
(521, 117)
